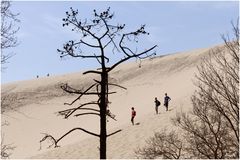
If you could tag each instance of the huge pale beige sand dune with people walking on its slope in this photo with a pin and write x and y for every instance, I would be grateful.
(30, 107)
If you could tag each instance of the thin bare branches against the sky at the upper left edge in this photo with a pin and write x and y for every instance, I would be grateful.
(8, 30)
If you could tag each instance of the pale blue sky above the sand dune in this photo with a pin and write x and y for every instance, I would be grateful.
(173, 26)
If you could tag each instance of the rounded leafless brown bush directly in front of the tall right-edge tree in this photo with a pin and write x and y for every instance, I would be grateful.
(206, 135)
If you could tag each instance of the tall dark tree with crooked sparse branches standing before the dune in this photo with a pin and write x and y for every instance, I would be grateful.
(98, 35)
